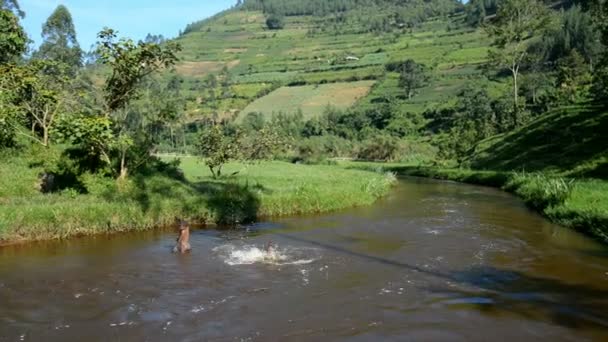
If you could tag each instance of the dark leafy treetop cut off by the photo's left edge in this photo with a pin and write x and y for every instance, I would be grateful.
(13, 40)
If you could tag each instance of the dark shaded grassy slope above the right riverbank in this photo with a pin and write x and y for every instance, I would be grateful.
(570, 141)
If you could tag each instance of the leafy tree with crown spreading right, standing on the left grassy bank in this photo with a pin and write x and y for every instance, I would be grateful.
(130, 64)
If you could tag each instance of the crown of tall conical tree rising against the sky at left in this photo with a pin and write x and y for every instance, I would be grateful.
(59, 39)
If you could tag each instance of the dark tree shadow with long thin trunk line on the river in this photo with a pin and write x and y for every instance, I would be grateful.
(492, 290)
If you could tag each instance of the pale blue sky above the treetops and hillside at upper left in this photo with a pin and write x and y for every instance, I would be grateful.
(132, 18)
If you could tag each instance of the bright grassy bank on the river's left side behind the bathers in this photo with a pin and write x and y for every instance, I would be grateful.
(154, 199)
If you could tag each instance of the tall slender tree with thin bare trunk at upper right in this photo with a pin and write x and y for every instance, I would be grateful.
(515, 23)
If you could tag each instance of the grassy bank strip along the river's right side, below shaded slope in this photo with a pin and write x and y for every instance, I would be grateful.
(584, 205)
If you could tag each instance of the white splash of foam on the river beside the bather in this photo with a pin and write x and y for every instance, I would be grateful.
(250, 255)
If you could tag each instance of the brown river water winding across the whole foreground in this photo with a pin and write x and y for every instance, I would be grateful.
(434, 261)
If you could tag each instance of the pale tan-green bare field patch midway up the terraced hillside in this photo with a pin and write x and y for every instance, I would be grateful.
(312, 100)
